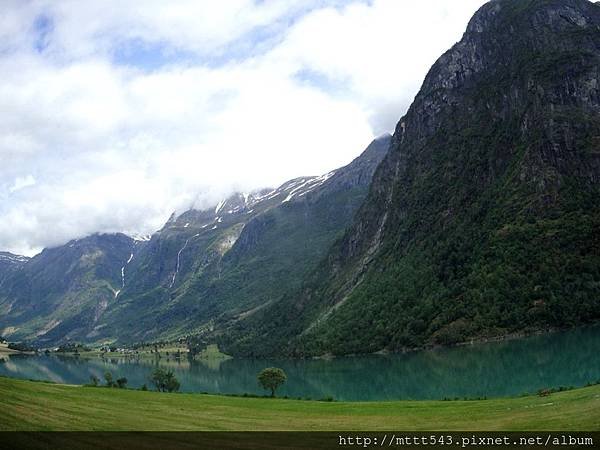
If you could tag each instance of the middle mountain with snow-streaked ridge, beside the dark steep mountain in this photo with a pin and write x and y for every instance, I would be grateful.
(218, 264)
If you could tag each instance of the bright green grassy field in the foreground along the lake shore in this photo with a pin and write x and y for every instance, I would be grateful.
(28, 405)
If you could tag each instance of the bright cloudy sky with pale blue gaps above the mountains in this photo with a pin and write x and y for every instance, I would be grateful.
(117, 113)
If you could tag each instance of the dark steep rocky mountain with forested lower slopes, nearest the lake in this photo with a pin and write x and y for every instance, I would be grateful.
(484, 217)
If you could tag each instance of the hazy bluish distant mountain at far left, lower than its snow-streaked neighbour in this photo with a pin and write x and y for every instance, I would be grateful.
(63, 291)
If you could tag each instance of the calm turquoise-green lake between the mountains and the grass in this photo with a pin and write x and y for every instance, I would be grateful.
(507, 368)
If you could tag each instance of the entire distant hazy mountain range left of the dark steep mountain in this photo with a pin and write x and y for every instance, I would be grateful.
(203, 265)
